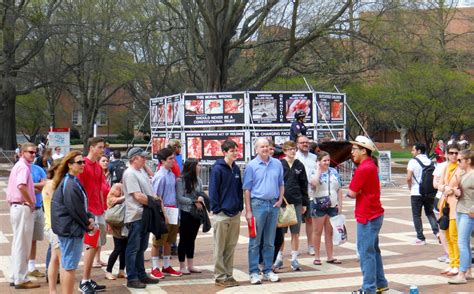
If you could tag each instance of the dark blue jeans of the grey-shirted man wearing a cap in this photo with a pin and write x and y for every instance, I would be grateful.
(134, 254)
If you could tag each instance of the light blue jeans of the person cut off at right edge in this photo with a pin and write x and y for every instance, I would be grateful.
(465, 226)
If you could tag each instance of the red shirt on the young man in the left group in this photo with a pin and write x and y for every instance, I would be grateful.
(92, 179)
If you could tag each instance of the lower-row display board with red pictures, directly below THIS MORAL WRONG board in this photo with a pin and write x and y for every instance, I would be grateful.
(206, 146)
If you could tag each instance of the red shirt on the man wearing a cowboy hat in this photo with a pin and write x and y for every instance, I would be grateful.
(365, 182)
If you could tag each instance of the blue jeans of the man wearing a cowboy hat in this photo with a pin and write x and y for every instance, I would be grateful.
(370, 258)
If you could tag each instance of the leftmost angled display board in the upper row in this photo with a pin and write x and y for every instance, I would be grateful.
(165, 111)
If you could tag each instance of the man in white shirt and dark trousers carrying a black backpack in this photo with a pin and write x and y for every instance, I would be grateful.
(420, 182)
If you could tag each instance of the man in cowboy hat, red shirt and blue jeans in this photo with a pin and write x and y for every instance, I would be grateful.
(365, 188)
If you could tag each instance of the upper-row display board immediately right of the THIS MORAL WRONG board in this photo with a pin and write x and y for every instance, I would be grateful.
(270, 108)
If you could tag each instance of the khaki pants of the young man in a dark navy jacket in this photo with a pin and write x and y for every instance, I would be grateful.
(226, 235)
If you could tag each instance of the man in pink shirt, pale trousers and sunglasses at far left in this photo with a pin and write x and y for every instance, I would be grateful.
(21, 197)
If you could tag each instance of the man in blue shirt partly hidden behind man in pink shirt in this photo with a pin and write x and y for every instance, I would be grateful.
(39, 177)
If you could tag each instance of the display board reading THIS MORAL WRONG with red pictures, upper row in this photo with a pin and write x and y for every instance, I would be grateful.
(210, 109)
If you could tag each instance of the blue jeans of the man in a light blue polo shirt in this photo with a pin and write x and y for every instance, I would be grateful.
(266, 217)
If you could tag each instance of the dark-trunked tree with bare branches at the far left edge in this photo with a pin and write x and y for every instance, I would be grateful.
(25, 27)
